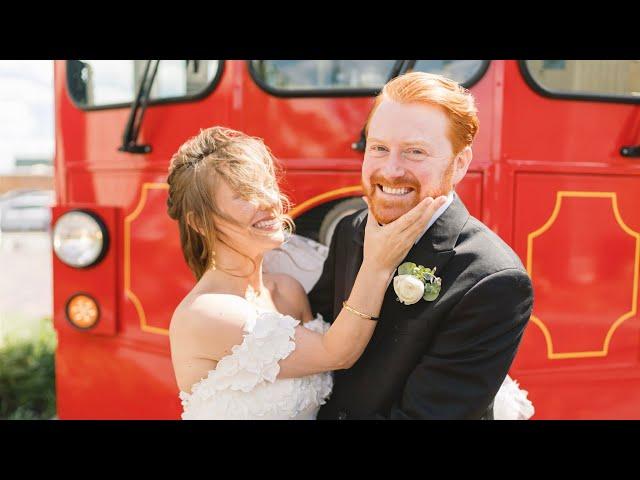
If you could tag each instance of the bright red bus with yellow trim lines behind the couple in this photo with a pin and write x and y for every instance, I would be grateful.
(556, 173)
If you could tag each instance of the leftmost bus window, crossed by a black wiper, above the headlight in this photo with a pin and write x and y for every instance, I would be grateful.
(114, 83)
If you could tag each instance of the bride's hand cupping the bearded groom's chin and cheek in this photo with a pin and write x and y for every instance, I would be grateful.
(385, 246)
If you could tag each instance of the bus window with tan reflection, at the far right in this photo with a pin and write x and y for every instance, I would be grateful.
(616, 80)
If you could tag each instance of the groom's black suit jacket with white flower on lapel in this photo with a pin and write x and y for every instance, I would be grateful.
(444, 359)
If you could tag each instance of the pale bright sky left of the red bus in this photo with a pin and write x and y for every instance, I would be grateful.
(26, 111)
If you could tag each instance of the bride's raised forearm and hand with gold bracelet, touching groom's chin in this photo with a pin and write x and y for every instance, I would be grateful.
(343, 344)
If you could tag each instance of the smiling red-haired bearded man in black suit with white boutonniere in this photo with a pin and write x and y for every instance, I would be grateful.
(439, 359)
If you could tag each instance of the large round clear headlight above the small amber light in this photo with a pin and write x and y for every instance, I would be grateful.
(79, 239)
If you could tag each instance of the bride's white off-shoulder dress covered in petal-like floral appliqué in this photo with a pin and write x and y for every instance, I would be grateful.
(243, 385)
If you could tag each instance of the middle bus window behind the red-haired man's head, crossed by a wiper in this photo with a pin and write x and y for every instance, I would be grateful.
(349, 77)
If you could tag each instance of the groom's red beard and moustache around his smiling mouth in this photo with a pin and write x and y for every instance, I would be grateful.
(387, 208)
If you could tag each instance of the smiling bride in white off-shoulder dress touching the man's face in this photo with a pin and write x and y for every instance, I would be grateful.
(244, 343)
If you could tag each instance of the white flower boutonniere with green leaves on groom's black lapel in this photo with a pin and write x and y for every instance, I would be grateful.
(414, 282)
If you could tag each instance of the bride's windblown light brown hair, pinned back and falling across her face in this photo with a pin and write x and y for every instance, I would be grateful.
(249, 168)
